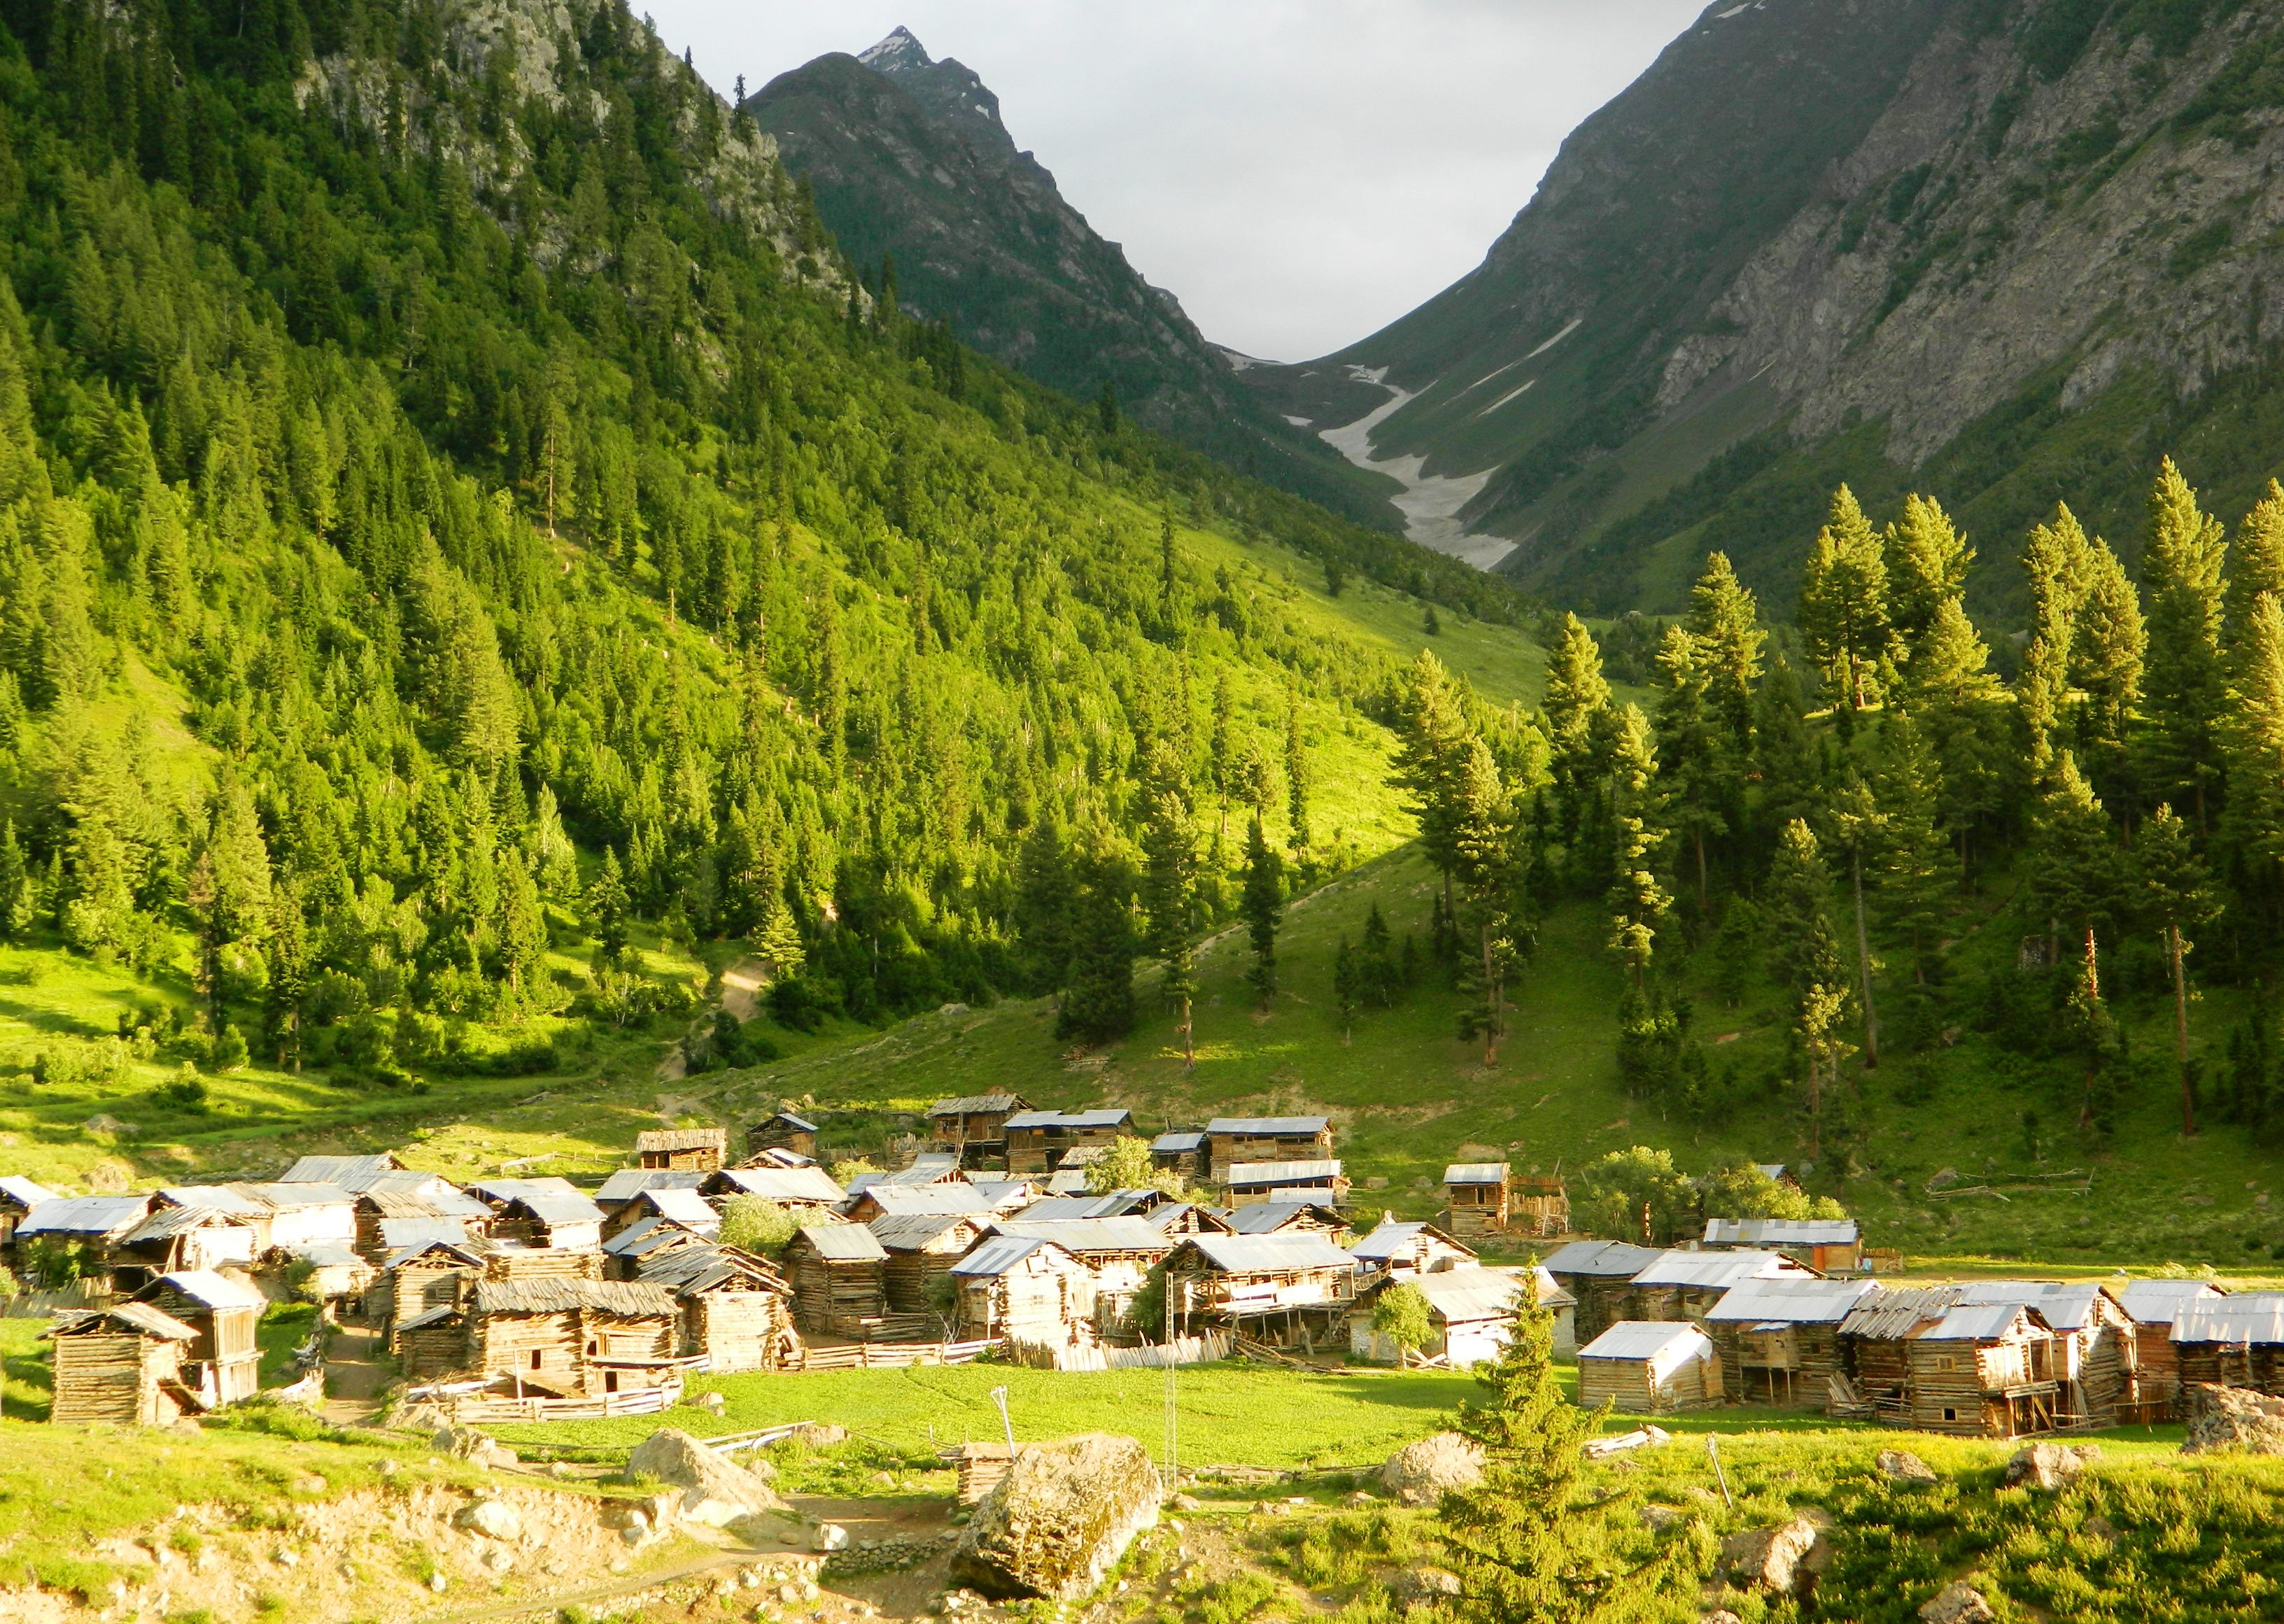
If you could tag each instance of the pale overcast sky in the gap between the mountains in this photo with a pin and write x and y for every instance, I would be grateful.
(1301, 172)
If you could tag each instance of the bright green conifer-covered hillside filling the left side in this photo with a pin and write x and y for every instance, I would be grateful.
(465, 526)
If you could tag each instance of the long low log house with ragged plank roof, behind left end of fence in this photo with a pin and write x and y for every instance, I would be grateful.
(574, 1335)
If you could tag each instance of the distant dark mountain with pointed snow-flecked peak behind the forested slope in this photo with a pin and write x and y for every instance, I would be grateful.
(910, 159)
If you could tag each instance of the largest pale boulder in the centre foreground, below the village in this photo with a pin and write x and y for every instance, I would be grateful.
(1059, 1520)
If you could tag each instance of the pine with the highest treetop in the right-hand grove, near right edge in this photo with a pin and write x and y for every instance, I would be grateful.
(2182, 682)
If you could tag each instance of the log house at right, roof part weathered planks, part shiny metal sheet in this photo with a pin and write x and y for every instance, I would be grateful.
(1924, 1360)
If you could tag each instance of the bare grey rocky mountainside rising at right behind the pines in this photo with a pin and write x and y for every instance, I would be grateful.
(1997, 248)
